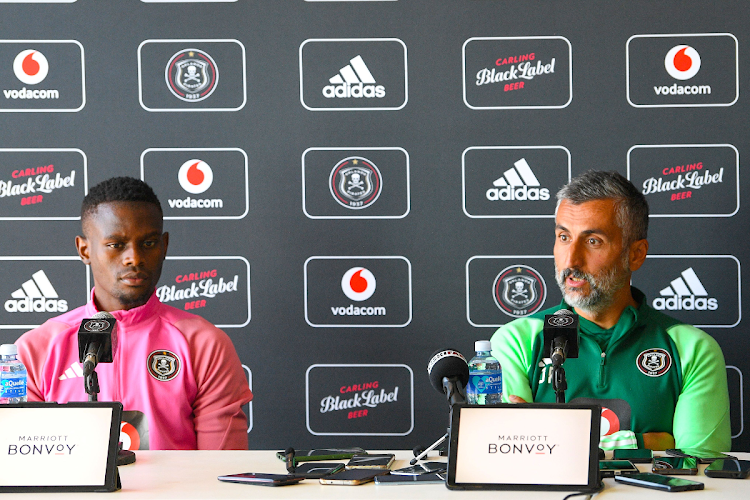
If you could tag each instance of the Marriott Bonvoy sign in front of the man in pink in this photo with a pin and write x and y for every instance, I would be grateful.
(66, 447)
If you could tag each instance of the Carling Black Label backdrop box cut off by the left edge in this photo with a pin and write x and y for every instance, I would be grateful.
(42, 184)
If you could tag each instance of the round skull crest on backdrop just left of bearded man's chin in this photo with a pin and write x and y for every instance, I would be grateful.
(519, 291)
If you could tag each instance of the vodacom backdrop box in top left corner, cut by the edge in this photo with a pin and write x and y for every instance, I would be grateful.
(42, 75)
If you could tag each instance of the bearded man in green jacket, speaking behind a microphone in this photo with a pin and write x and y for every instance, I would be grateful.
(661, 383)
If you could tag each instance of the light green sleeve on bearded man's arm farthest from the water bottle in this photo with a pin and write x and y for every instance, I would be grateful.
(701, 417)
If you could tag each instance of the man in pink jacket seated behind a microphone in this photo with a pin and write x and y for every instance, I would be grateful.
(178, 376)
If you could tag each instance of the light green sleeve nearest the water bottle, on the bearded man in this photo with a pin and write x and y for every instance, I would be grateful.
(513, 346)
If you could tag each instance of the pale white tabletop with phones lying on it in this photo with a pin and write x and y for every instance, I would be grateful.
(192, 474)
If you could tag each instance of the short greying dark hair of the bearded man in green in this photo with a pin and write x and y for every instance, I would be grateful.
(631, 204)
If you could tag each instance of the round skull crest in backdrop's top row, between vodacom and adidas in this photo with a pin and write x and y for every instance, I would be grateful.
(192, 75)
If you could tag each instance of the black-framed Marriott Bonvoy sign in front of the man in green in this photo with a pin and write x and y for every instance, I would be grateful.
(524, 447)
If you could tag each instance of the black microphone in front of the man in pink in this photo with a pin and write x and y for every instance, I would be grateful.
(97, 339)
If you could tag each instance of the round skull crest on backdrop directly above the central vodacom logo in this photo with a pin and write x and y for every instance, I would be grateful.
(355, 182)
